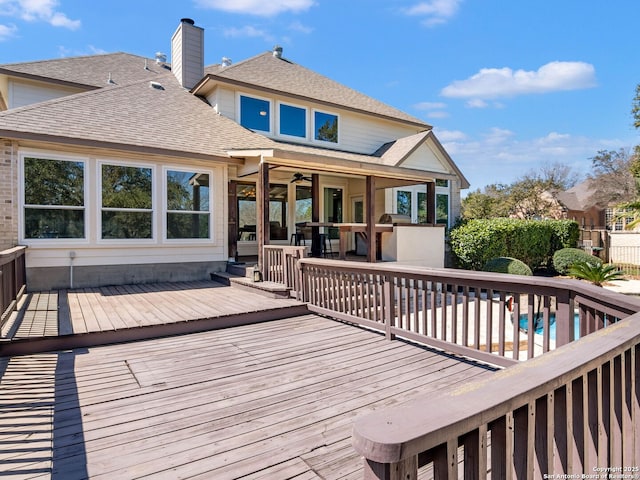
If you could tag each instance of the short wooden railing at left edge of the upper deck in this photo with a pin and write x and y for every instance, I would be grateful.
(12, 280)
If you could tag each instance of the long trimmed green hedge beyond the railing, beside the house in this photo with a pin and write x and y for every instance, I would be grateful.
(475, 242)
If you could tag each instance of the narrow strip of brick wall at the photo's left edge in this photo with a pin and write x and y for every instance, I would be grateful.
(8, 194)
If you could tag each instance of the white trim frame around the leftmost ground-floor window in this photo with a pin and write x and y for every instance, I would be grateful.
(22, 205)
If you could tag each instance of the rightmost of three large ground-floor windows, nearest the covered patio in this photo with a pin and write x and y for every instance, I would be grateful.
(188, 209)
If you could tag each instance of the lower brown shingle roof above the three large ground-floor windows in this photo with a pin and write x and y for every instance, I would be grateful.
(167, 118)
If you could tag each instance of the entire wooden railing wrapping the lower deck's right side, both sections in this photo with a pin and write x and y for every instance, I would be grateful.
(572, 411)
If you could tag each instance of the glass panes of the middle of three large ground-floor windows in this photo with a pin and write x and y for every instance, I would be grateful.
(127, 210)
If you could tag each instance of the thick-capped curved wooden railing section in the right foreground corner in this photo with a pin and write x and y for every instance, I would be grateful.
(571, 413)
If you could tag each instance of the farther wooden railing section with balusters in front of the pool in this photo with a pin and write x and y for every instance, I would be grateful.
(491, 317)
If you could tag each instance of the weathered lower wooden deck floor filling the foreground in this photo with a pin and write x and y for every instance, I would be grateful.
(273, 400)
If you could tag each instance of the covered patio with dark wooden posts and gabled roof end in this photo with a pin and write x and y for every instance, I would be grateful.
(324, 198)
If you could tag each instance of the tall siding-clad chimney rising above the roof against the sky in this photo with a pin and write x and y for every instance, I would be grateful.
(187, 53)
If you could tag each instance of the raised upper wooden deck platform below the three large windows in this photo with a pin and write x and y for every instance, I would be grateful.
(92, 316)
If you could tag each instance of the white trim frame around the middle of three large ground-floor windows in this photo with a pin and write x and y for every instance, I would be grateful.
(99, 209)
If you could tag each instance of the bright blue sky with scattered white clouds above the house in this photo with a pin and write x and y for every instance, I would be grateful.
(507, 85)
